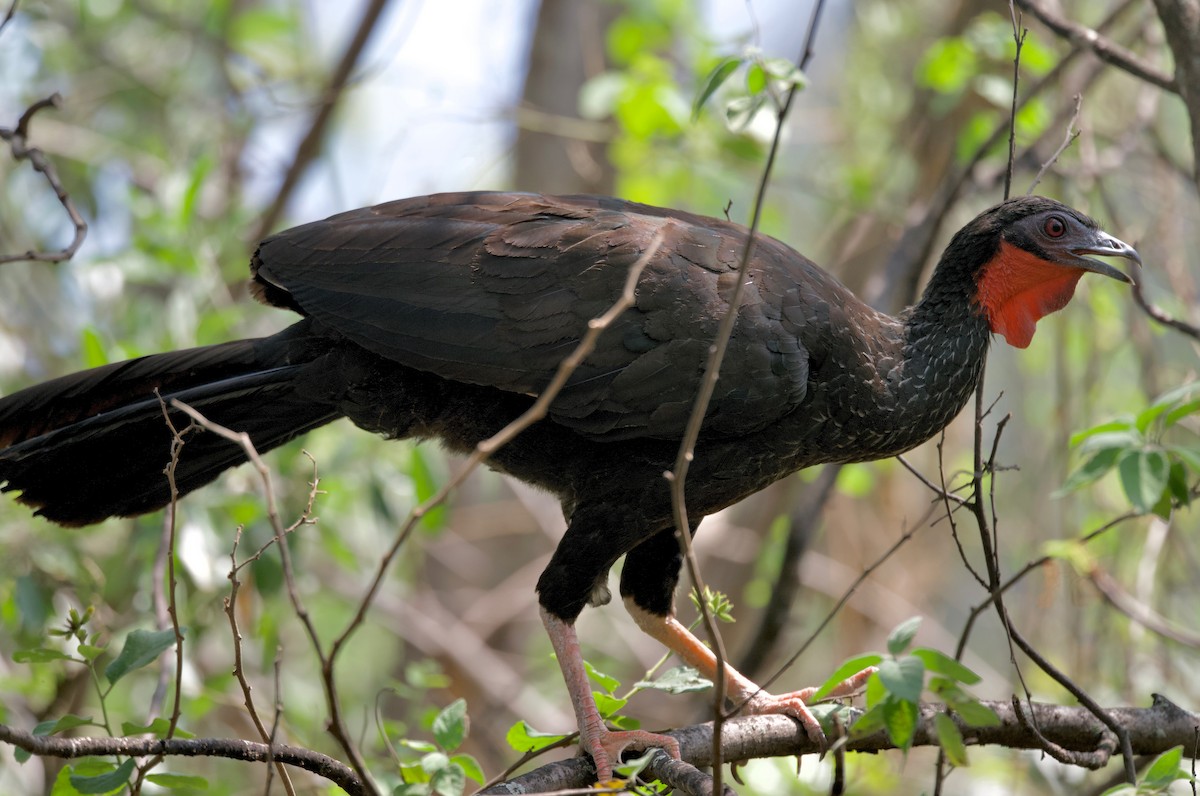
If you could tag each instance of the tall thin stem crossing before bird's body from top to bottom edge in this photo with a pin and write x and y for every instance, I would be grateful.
(679, 475)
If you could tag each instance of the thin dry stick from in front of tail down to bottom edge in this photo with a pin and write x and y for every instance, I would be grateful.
(337, 725)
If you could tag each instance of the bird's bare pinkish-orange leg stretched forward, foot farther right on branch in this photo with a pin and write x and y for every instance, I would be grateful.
(739, 689)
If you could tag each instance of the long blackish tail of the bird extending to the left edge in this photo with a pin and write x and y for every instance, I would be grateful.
(95, 445)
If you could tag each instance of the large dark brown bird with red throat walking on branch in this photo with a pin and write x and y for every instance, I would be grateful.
(443, 318)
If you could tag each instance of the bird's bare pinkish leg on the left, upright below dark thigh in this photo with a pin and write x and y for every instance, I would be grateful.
(604, 745)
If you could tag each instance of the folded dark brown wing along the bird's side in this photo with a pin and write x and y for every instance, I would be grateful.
(497, 289)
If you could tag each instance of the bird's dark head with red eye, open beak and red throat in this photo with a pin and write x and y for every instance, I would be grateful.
(1037, 249)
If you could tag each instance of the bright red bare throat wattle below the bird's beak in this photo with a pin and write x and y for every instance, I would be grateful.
(1018, 289)
